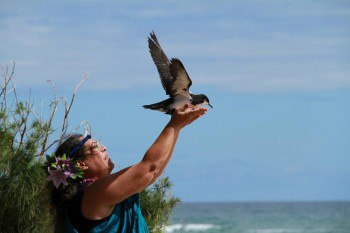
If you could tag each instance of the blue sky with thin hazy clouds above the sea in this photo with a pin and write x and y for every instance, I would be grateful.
(276, 72)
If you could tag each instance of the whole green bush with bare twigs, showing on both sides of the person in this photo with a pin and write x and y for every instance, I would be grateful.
(24, 140)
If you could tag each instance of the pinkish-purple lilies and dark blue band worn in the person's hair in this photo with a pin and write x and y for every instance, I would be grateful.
(64, 169)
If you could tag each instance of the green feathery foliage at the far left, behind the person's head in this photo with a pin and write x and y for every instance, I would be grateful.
(24, 196)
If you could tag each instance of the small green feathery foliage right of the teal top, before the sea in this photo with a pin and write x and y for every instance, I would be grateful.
(157, 204)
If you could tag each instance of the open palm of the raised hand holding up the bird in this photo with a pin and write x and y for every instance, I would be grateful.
(186, 115)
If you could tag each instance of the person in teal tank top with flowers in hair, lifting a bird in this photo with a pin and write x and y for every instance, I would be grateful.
(106, 202)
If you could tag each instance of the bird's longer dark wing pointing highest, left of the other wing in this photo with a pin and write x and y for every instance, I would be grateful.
(161, 61)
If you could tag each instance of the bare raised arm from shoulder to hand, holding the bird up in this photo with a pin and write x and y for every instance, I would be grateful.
(101, 196)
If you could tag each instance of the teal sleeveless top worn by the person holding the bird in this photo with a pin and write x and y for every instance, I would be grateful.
(125, 218)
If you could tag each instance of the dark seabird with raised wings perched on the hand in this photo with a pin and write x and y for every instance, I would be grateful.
(175, 81)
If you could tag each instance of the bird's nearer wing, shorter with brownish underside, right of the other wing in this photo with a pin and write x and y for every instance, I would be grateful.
(182, 82)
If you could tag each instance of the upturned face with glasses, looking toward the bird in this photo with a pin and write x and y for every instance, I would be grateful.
(97, 159)
